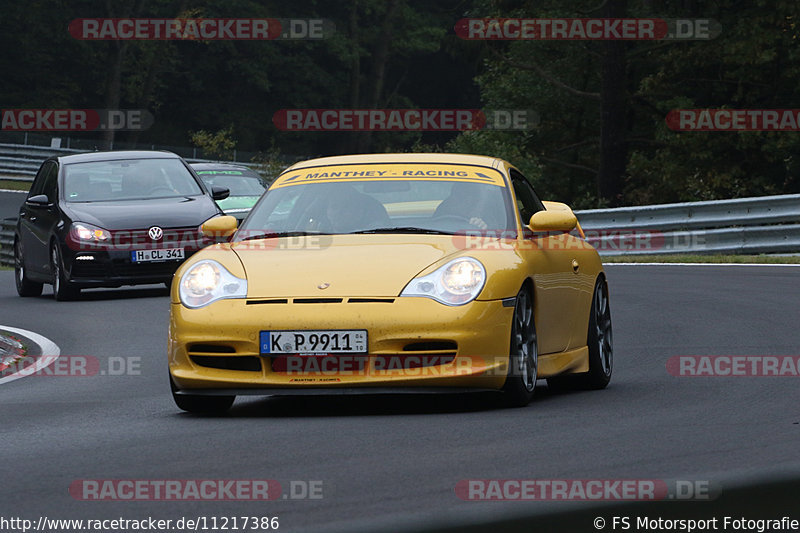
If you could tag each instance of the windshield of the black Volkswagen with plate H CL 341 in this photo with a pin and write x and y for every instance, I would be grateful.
(128, 179)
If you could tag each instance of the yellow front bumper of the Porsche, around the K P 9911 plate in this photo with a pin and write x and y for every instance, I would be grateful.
(215, 349)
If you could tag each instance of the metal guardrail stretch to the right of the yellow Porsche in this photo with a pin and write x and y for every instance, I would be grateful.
(768, 224)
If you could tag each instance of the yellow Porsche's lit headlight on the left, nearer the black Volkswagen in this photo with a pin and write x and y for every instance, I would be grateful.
(207, 281)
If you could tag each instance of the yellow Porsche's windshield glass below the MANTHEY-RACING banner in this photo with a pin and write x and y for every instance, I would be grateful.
(381, 206)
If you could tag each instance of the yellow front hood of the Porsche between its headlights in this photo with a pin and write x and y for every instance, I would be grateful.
(350, 265)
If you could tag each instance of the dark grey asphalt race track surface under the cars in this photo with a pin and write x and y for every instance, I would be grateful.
(389, 461)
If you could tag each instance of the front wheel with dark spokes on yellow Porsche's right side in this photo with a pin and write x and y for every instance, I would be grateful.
(523, 364)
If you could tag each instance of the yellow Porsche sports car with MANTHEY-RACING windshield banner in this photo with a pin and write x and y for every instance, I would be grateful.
(391, 273)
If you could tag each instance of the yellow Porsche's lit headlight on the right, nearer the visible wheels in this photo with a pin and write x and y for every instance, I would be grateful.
(455, 283)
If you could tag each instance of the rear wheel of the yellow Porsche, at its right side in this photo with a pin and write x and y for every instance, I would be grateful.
(600, 341)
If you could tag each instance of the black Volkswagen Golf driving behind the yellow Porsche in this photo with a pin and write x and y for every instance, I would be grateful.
(107, 219)
